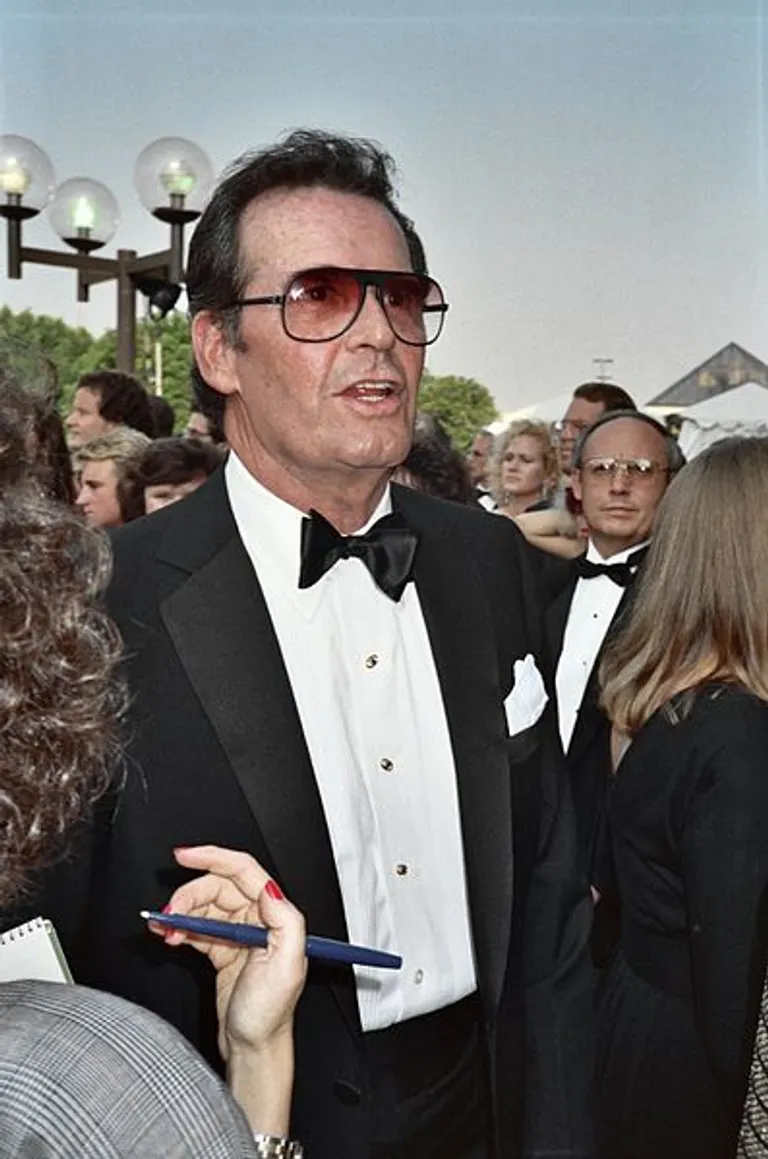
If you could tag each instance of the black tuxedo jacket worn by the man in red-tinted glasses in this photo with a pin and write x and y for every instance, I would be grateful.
(216, 754)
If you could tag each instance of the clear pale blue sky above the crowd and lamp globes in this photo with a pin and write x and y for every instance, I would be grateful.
(589, 176)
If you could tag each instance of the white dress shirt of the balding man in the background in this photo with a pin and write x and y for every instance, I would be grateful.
(593, 610)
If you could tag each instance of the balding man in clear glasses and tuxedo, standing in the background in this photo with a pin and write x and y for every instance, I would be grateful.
(621, 470)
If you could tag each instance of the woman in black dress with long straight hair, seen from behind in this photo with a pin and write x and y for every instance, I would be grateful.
(686, 686)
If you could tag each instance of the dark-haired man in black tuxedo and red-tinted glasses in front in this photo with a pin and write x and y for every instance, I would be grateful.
(352, 696)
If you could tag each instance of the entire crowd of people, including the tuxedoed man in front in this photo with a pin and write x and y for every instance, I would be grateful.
(521, 748)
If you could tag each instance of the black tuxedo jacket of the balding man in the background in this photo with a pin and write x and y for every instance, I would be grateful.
(589, 754)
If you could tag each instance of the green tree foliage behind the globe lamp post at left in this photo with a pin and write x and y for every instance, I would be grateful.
(76, 352)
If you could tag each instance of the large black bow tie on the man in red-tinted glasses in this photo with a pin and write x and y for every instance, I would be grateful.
(387, 550)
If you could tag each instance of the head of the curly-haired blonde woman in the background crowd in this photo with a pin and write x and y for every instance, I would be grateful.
(524, 469)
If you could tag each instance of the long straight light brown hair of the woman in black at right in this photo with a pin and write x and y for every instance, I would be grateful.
(701, 608)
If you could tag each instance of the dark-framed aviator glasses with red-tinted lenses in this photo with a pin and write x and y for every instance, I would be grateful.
(320, 305)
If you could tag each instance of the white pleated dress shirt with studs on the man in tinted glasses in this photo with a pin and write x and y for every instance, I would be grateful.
(367, 689)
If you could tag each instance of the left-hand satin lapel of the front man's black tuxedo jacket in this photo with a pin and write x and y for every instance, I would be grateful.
(222, 630)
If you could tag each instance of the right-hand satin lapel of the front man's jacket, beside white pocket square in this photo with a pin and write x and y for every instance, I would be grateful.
(464, 647)
